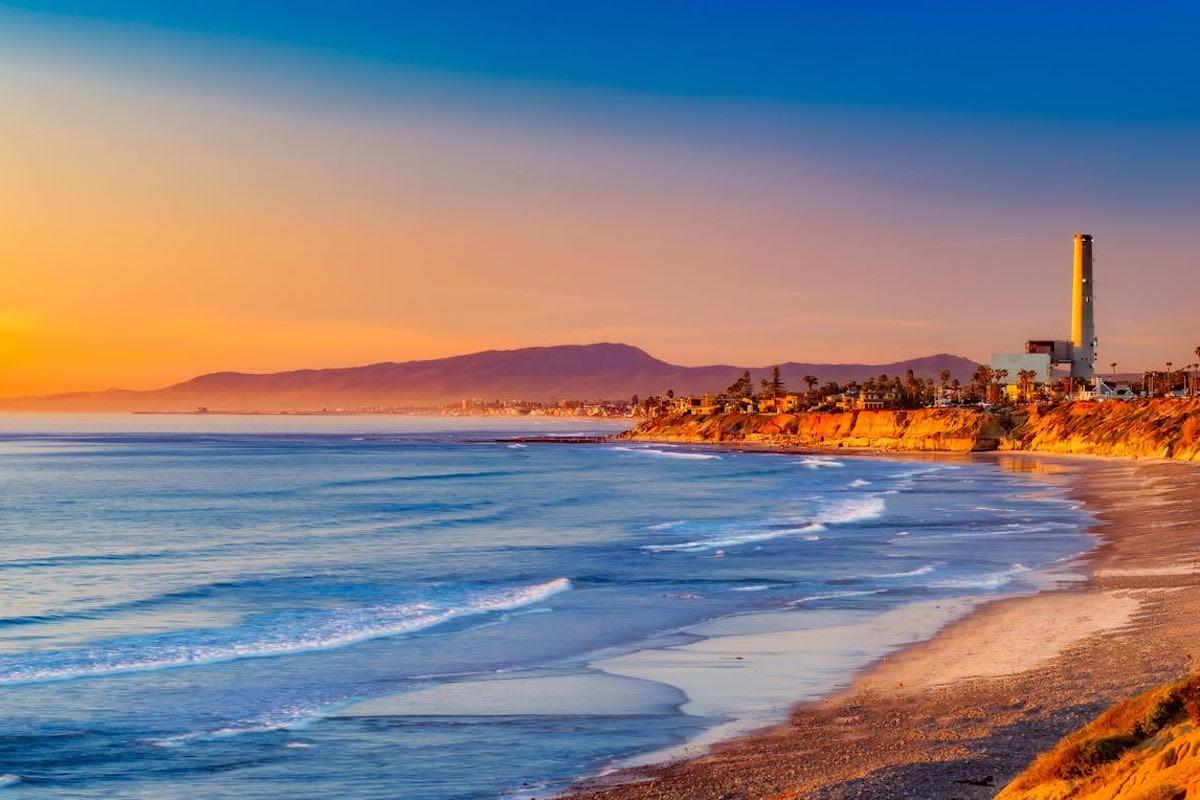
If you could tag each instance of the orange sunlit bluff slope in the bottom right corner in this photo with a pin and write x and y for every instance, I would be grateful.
(1144, 749)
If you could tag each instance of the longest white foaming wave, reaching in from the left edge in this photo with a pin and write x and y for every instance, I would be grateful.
(332, 630)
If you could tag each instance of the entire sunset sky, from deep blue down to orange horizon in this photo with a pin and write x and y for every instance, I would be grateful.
(195, 187)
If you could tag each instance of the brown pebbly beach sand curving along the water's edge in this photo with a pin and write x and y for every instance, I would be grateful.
(957, 717)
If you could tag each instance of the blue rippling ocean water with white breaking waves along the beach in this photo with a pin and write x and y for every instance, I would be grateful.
(263, 607)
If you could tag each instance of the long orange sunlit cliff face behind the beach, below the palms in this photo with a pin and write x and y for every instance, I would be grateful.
(1162, 429)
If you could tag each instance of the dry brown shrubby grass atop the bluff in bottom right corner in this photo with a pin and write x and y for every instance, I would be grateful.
(1115, 733)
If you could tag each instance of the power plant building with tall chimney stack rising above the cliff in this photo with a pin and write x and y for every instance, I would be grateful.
(1078, 354)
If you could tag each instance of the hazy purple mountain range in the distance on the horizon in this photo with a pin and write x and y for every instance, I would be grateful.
(550, 374)
